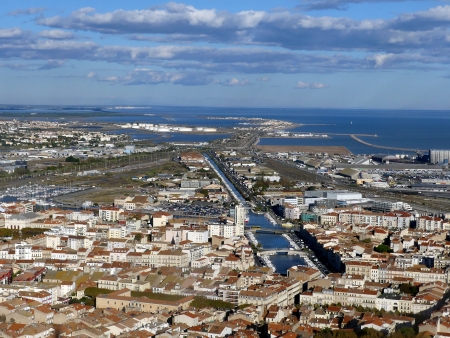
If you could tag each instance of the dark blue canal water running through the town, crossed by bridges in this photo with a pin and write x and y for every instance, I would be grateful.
(268, 241)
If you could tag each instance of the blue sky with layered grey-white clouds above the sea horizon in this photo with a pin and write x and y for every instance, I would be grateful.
(372, 54)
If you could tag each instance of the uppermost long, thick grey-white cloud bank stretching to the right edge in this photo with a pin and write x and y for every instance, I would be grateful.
(285, 29)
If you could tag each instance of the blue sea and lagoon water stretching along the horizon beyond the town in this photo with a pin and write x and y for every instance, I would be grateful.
(412, 129)
